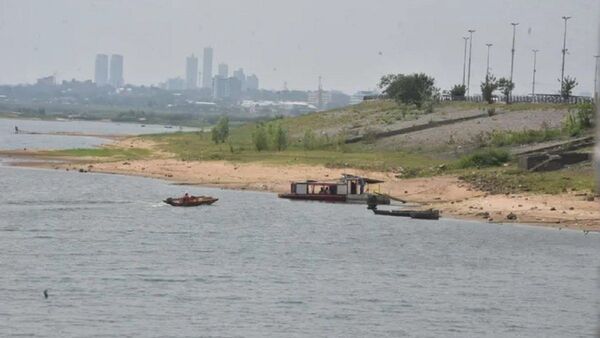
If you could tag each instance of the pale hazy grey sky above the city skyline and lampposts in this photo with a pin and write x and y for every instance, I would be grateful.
(349, 43)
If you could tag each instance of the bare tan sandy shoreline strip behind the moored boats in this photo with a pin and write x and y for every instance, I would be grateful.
(454, 198)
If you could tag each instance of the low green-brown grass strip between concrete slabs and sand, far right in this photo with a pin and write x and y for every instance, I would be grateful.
(511, 180)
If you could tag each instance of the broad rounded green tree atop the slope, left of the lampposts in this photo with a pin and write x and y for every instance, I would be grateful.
(408, 89)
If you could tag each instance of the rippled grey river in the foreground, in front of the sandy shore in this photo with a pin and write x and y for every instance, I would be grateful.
(117, 262)
